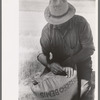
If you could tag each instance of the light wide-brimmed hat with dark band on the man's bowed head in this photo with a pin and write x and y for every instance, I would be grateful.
(59, 11)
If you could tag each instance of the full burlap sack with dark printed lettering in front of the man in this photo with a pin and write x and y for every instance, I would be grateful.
(55, 87)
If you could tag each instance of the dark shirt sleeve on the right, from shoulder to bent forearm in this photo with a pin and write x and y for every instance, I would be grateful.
(86, 41)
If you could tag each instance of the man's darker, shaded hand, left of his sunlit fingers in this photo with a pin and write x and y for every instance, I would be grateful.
(55, 68)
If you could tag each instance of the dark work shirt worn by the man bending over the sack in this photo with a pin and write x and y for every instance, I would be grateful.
(68, 40)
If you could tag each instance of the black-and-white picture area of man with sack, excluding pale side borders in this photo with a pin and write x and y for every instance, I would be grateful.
(58, 49)
